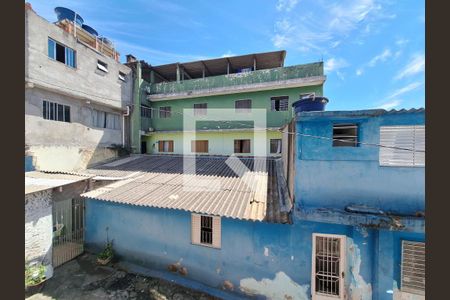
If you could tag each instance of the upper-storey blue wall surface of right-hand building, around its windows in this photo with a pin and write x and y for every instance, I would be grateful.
(355, 172)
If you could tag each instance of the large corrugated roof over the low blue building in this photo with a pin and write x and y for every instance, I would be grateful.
(158, 181)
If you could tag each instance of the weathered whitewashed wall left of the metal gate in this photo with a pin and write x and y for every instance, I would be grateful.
(38, 227)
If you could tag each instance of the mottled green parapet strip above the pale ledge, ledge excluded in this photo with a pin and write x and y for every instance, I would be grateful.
(258, 77)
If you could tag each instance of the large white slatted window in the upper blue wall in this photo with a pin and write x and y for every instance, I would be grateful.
(404, 146)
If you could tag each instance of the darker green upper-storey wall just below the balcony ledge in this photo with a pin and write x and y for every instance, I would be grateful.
(260, 99)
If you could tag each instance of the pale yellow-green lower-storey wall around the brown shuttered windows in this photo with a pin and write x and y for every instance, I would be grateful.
(220, 143)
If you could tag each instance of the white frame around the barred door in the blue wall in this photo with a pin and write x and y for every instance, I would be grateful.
(342, 267)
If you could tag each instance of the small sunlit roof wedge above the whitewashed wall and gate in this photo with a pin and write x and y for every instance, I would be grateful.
(38, 181)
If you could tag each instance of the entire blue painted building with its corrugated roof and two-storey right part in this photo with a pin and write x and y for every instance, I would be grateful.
(354, 227)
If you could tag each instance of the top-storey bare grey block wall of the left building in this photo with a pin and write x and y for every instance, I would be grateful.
(84, 81)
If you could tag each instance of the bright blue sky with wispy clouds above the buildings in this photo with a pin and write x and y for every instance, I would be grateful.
(374, 51)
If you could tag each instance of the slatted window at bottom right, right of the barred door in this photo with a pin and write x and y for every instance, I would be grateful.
(413, 267)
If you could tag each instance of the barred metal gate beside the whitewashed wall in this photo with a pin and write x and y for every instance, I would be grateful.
(68, 230)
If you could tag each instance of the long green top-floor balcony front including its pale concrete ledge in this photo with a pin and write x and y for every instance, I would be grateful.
(275, 78)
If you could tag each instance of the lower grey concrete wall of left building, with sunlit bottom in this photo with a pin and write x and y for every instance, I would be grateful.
(66, 146)
